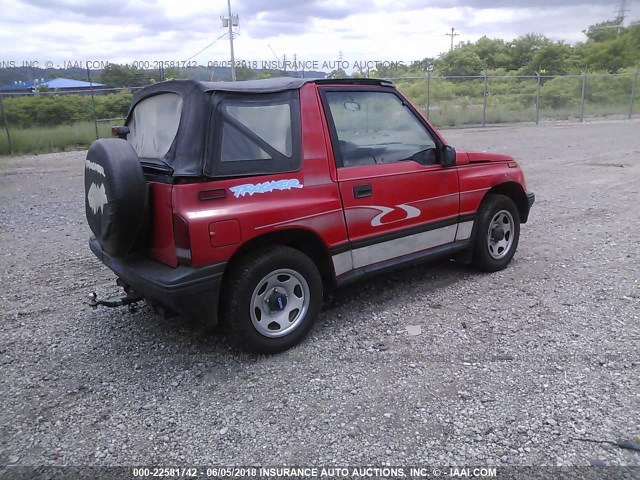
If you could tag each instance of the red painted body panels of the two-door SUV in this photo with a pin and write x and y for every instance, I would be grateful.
(325, 206)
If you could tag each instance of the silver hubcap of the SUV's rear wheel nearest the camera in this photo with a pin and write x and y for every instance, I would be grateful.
(279, 303)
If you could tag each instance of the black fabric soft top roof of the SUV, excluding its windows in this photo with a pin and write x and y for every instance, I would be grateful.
(186, 155)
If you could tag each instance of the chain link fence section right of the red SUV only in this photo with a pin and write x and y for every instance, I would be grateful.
(492, 99)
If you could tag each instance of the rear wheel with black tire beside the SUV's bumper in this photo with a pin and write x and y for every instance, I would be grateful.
(249, 277)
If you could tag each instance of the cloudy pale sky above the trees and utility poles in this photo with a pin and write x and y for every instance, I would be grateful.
(59, 31)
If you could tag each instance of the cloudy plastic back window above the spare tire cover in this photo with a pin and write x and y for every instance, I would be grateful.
(154, 123)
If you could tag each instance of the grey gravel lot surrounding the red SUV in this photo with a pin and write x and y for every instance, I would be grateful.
(508, 370)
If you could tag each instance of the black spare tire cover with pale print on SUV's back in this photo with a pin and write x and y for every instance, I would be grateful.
(115, 195)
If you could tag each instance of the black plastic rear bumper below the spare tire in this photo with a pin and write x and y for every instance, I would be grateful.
(191, 291)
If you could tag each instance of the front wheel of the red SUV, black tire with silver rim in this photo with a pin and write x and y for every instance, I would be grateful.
(490, 252)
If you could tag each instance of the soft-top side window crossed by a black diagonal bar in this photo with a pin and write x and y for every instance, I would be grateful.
(256, 134)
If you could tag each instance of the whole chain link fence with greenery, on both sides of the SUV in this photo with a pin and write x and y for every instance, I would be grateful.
(47, 121)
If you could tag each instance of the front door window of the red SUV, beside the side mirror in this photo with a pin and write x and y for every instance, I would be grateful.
(377, 127)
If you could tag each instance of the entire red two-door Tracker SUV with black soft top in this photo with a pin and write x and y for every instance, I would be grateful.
(248, 201)
